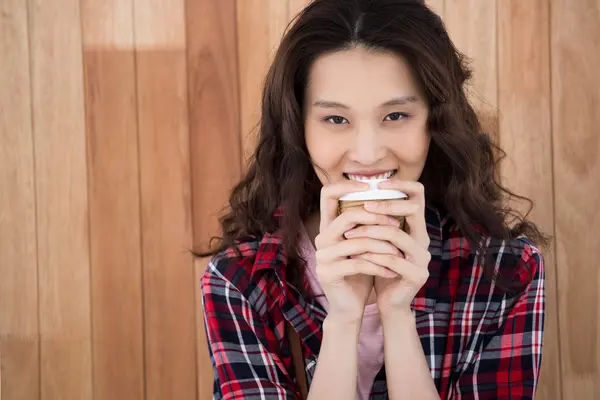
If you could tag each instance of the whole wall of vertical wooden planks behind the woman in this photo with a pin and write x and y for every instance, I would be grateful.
(124, 123)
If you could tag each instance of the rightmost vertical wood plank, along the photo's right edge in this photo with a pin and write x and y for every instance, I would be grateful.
(575, 105)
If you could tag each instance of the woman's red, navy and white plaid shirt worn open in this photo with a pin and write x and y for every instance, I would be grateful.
(479, 342)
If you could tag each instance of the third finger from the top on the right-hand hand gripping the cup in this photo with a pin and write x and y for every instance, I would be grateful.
(407, 244)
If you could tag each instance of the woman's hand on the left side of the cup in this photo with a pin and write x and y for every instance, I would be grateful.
(346, 281)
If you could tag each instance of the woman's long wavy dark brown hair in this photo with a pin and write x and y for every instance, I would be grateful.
(460, 173)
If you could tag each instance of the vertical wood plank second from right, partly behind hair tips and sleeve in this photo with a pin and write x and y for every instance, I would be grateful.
(525, 135)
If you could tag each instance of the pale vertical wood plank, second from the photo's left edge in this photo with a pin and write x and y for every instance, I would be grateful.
(62, 203)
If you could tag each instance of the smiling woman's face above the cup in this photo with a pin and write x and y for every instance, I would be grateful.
(365, 116)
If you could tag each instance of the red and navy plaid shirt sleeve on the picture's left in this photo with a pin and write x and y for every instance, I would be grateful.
(244, 363)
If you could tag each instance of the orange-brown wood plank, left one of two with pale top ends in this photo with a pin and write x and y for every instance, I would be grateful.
(116, 275)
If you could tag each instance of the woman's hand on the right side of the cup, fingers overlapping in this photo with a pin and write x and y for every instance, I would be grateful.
(396, 294)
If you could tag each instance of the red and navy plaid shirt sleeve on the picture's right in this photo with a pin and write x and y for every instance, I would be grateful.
(509, 364)
